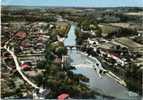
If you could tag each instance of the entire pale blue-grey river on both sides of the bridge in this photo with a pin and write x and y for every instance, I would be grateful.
(84, 65)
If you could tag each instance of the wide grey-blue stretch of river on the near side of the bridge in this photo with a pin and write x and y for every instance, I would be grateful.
(104, 84)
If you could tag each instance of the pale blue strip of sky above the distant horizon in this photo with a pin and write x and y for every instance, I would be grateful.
(76, 3)
